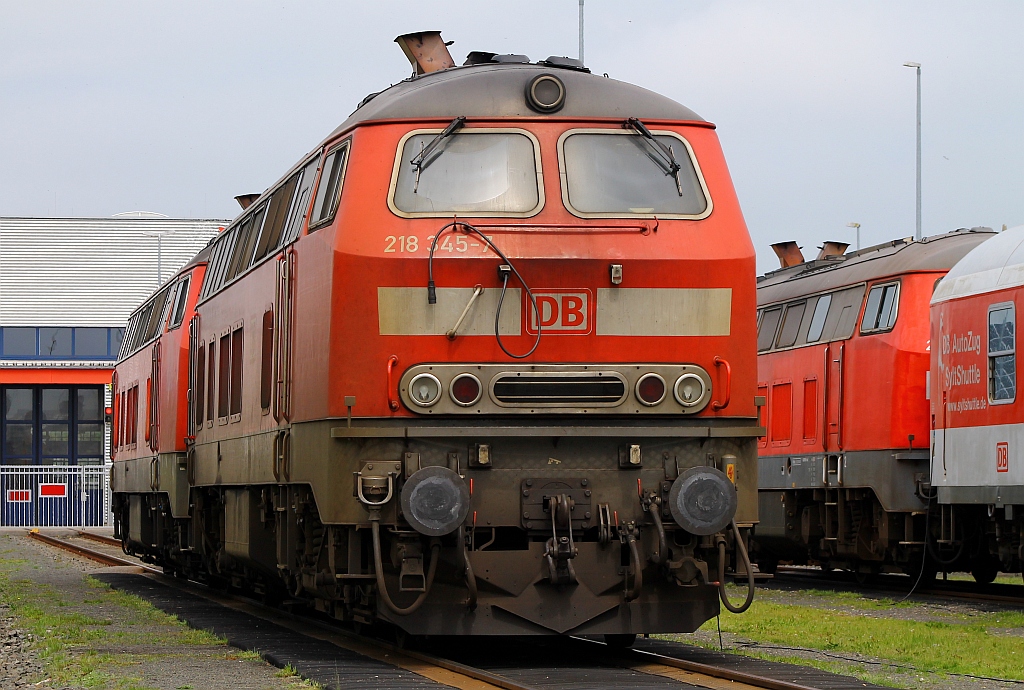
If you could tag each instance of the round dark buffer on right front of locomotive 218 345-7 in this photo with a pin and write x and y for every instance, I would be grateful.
(703, 501)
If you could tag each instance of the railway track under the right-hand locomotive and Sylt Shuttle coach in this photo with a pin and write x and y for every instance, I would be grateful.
(901, 585)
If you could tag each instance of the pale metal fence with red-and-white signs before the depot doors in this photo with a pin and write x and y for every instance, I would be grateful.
(50, 496)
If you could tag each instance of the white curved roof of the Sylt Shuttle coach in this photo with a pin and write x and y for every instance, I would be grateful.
(997, 265)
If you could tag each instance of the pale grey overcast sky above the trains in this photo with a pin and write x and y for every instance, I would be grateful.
(177, 108)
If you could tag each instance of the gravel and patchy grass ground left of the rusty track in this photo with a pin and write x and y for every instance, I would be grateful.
(62, 629)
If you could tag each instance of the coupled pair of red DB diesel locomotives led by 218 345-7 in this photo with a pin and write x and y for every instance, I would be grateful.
(482, 363)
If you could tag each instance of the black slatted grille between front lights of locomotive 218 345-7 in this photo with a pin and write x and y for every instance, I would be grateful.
(598, 390)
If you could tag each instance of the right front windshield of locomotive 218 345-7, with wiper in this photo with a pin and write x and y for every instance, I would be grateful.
(621, 174)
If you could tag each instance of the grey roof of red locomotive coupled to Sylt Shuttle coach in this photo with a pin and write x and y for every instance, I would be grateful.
(940, 252)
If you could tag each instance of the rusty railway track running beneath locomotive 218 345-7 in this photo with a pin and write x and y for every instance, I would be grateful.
(582, 657)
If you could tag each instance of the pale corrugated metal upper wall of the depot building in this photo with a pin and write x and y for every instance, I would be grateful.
(91, 272)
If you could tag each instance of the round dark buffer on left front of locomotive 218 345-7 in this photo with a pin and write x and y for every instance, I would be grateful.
(436, 501)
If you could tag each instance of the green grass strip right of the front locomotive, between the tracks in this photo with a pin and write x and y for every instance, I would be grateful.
(965, 646)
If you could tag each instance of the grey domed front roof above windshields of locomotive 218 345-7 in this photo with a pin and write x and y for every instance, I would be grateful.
(498, 91)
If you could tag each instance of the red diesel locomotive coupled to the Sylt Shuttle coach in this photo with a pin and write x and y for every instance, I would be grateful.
(843, 346)
